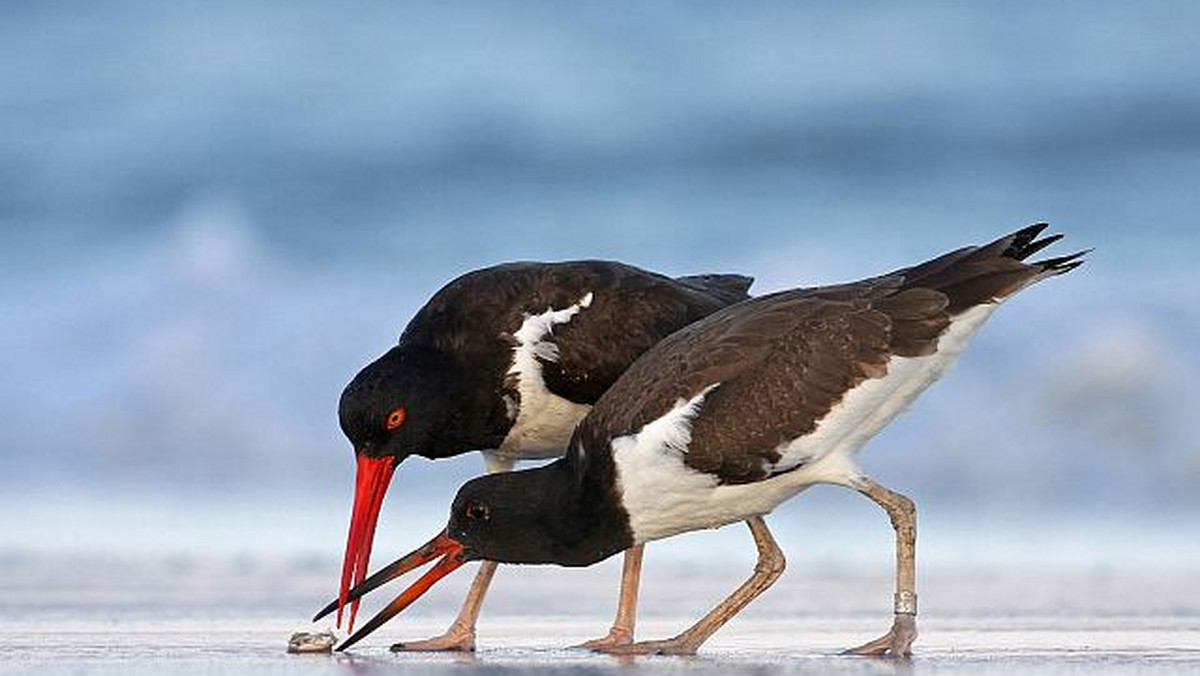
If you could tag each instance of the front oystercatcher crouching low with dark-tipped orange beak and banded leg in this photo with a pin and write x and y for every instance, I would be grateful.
(734, 415)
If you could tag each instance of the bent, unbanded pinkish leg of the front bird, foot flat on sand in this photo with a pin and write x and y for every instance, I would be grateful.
(769, 570)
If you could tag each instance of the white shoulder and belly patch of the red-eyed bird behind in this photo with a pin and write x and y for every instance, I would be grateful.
(544, 421)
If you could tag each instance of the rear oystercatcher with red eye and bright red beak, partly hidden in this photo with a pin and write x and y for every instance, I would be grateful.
(507, 360)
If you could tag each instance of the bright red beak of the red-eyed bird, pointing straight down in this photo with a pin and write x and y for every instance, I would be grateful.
(370, 486)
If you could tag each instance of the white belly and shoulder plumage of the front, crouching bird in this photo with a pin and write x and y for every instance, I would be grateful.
(665, 498)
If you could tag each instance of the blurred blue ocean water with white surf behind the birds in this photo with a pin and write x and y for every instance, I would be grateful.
(213, 214)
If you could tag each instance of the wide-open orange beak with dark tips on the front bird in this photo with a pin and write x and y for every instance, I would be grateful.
(449, 549)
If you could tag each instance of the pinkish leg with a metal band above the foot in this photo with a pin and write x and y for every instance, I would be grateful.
(898, 642)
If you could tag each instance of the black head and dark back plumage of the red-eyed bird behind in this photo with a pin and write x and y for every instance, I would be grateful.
(452, 362)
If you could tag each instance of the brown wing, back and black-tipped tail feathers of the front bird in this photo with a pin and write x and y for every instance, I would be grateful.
(785, 361)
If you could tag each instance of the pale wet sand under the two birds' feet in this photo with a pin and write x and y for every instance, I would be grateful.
(220, 618)
